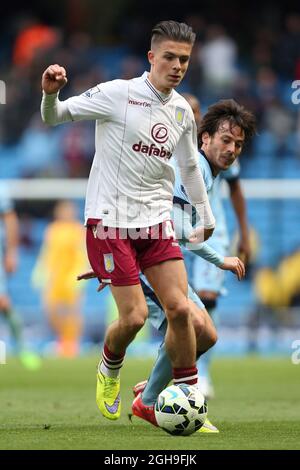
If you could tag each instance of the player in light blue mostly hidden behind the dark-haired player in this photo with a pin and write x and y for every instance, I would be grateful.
(205, 277)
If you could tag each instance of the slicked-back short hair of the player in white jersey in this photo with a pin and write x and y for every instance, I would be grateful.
(172, 30)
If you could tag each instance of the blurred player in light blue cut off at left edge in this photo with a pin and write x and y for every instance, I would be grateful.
(9, 238)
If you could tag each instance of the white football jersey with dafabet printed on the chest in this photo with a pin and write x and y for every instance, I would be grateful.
(137, 131)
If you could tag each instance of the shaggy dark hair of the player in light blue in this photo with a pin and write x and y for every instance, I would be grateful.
(227, 110)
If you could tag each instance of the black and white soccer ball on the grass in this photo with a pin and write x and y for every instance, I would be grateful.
(180, 410)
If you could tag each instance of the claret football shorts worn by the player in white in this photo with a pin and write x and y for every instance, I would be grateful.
(117, 255)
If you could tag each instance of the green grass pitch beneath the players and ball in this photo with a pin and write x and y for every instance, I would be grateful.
(257, 407)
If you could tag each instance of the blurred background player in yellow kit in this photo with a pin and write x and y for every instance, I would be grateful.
(62, 254)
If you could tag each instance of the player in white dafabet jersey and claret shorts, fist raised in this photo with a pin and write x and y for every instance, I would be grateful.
(140, 123)
